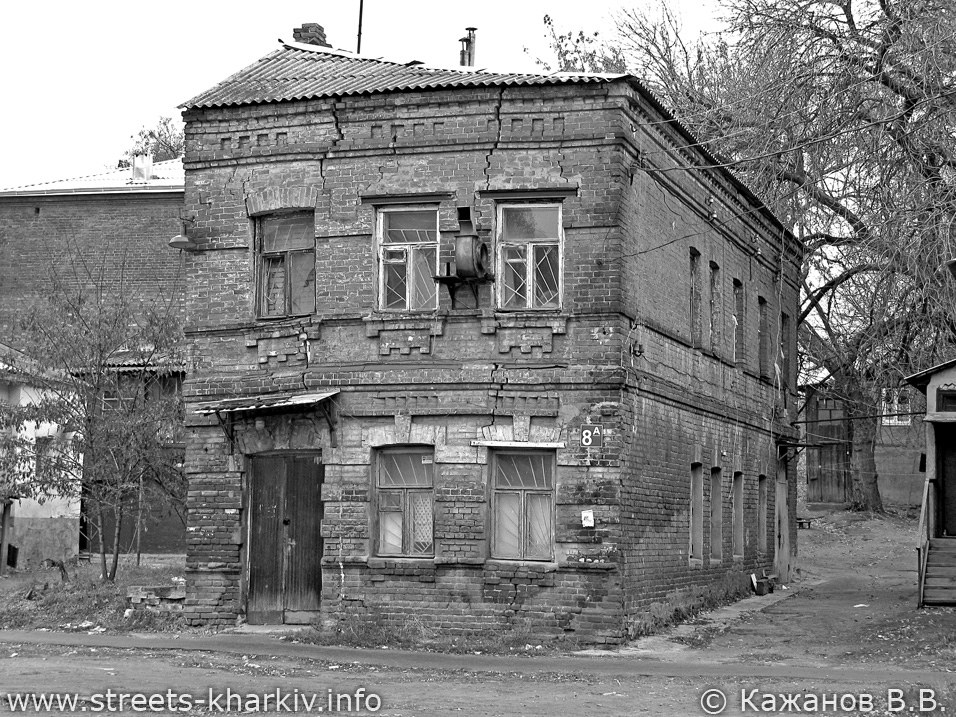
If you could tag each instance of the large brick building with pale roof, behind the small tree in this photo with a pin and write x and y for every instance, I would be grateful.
(121, 220)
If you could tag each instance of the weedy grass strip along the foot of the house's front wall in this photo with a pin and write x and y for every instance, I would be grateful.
(413, 633)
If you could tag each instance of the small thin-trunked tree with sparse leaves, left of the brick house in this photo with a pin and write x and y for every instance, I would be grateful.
(105, 362)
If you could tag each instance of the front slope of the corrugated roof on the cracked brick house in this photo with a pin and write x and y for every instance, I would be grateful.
(300, 72)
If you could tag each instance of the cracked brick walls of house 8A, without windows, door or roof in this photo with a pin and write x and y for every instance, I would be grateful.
(617, 353)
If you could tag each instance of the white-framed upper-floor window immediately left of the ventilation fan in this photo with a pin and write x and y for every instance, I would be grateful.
(408, 259)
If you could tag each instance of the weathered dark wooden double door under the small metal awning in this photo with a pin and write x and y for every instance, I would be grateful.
(285, 543)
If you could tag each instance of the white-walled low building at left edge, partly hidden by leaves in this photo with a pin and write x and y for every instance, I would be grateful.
(36, 530)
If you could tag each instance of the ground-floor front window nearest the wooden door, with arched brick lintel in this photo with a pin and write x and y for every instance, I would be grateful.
(405, 490)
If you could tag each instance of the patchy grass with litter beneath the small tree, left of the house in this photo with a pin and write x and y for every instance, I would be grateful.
(40, 599)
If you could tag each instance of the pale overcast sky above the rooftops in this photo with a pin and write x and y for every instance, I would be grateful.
(80, 78)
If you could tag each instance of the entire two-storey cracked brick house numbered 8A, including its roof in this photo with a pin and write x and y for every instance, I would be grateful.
(378, 428)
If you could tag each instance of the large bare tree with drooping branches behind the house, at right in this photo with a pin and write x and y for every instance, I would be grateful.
(843, 114)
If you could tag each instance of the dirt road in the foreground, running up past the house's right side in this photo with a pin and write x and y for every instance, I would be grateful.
(845, 635)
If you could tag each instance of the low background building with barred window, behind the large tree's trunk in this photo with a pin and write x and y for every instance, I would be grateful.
(899, 450)
